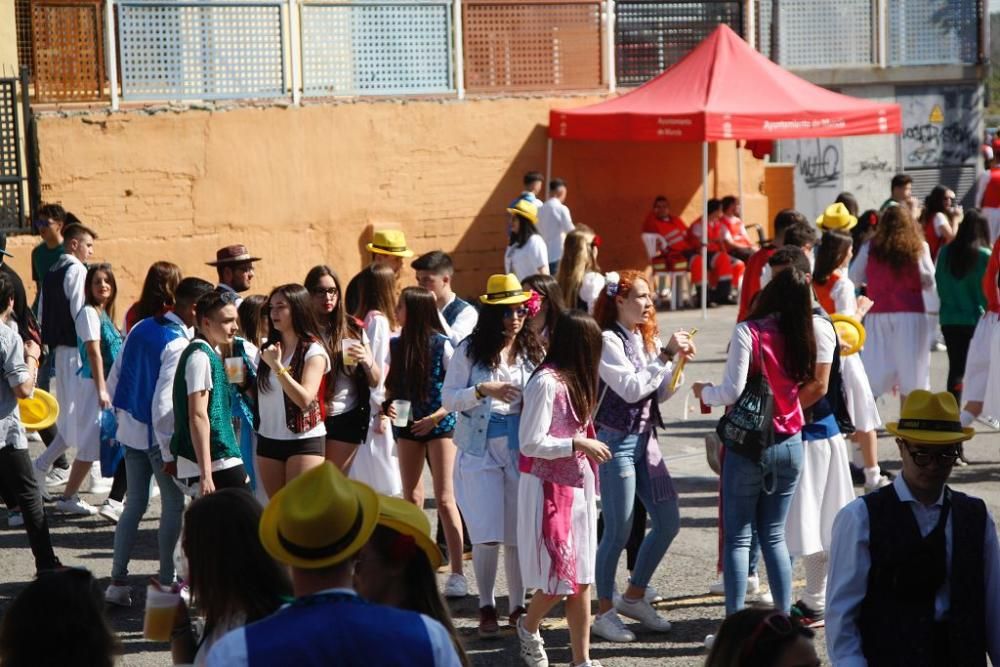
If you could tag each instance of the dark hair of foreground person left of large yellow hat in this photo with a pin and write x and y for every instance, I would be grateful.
(230, 573)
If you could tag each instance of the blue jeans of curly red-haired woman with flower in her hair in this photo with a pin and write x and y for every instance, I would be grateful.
(622, 478)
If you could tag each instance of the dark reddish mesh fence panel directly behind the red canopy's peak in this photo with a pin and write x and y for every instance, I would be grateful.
(651, 36)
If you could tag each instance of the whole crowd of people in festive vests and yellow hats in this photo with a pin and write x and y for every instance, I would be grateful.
(288, 434)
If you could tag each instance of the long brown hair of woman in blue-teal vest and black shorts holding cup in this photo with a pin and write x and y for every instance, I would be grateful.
(422, 322)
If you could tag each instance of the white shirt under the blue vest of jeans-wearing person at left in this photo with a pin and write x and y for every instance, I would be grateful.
(133, 433)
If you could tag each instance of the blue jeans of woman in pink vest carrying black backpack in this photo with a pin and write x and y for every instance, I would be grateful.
(758, 495)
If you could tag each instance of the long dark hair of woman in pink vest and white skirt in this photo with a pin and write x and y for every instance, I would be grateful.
(574, 355)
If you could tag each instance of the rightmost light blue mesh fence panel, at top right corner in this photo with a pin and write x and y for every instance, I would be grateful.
(930, 32)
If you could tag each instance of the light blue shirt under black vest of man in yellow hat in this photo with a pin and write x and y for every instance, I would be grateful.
(850, 562)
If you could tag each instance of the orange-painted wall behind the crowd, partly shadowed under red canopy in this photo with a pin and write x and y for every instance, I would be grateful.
(301, 186)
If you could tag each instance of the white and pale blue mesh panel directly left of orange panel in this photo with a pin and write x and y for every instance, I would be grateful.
(376, 48)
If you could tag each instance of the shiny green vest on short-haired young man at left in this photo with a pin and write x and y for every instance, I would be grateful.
(222, 438)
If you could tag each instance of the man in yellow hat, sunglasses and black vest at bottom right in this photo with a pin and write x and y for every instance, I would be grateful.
(914, 567)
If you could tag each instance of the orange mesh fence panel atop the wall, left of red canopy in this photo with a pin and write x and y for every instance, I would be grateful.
(532, 45)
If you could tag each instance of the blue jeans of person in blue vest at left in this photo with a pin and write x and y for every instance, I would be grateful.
(140, 466)
